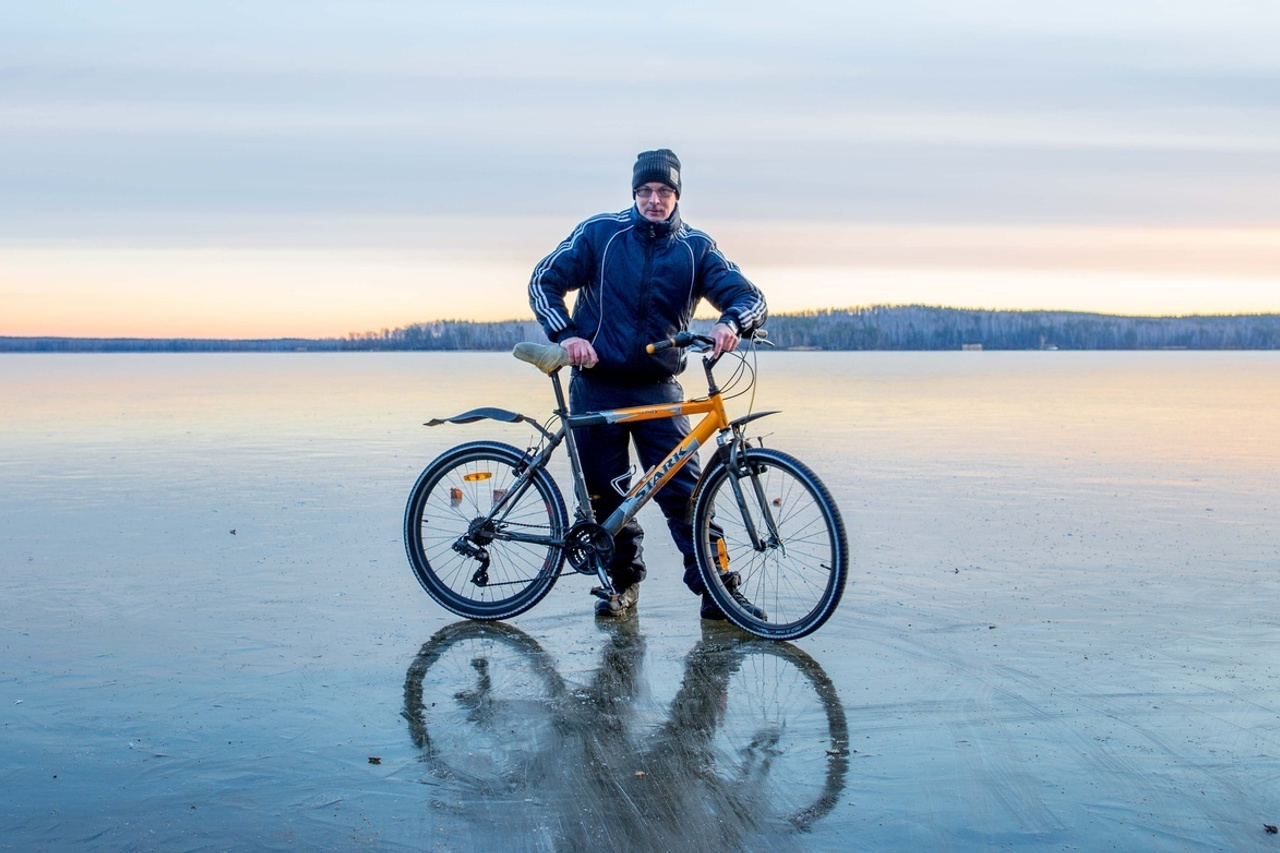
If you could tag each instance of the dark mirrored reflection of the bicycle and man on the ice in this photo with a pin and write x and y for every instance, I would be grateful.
(755, 745)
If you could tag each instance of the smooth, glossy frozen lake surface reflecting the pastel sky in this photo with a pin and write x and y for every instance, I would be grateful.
(1062, 631)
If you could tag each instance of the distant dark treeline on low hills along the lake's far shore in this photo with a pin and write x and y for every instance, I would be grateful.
(911, 327)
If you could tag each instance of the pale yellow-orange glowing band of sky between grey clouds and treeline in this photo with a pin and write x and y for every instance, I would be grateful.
(317, 293)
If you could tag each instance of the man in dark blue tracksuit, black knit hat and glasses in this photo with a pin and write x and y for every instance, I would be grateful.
(639, 275)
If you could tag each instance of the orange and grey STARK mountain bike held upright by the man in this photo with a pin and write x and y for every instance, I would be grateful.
(487, 532)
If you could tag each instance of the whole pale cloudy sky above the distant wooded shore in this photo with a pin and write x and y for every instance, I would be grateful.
(179, 168)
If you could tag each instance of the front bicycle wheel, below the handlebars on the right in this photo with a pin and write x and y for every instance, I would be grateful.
(770, 533)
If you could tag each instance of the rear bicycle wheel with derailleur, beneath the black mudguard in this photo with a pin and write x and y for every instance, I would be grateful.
(456, 491)
